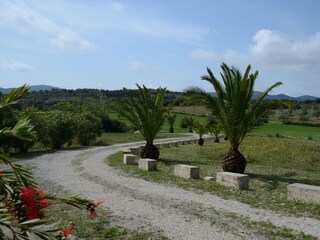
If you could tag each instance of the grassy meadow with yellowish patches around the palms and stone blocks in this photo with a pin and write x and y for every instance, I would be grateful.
(273, 163)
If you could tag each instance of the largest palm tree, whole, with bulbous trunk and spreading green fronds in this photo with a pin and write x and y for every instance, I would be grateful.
(234, 108)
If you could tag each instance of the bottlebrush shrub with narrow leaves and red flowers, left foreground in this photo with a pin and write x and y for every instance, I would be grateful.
(22, 203)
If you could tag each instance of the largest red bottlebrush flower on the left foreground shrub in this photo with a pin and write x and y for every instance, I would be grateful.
(33, 201)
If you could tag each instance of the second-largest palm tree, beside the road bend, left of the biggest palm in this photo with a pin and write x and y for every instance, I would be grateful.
(146, 113)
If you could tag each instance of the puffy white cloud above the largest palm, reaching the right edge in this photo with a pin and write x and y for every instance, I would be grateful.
(272, 50)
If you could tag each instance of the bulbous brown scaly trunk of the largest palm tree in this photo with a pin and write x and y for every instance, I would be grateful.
(234, 162)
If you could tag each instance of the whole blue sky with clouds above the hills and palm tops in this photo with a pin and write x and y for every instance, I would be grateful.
(169, 43)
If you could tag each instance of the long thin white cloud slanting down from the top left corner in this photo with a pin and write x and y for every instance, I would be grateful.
(21, 17)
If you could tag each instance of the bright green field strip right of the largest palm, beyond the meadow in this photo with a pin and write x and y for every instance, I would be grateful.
(282, 130)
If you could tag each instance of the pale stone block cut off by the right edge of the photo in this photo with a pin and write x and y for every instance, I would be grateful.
(303, 192)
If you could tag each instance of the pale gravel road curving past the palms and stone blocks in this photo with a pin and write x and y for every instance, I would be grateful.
(177, 213)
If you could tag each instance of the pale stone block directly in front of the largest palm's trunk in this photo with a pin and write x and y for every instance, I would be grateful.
(234, 180)
